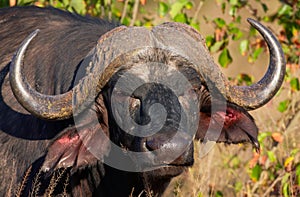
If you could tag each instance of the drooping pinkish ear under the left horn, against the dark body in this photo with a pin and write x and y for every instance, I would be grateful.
(82, 145)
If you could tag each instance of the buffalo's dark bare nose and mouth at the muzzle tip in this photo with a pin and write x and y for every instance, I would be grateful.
(175, 149)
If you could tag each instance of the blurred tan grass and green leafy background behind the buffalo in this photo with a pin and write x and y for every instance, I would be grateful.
(235, 170)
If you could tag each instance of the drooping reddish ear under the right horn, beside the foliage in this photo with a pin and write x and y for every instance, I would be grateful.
(235, 125)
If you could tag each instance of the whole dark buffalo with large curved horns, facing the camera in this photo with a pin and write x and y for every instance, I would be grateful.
(89, 107)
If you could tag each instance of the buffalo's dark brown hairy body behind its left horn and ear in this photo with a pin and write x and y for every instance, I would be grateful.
(52, 60)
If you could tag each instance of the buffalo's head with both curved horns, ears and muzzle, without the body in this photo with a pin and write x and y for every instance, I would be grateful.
(141, 96)
